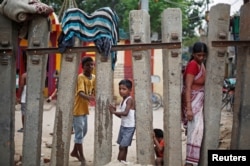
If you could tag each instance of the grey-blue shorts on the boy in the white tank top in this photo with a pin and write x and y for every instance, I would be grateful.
(125, 136)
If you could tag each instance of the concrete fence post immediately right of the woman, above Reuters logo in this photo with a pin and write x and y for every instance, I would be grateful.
(217, 30)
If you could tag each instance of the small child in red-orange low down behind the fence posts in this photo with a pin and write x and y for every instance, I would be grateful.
(159, 146)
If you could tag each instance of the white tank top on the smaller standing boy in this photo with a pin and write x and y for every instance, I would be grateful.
(129, 120)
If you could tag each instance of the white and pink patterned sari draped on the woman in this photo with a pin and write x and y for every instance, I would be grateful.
(196, 126)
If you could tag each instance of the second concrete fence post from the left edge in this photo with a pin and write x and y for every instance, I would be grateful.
(36, 72)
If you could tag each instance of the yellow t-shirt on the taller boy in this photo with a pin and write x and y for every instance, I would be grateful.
(87, 86)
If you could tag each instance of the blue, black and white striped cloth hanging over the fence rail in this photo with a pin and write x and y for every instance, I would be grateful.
(100, 27)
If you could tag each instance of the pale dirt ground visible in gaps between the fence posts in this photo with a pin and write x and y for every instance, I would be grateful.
(48, 122)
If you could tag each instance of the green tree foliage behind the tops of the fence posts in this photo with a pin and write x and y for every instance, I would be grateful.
(191, 11)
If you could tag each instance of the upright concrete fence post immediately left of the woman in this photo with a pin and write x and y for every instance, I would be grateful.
(172, 32)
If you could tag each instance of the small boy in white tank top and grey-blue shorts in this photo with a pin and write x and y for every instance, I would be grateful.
(127, 115)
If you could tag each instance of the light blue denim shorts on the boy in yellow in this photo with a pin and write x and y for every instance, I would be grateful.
(80, 124)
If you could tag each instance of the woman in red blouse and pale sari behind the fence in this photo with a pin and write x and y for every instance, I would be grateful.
(193, 101)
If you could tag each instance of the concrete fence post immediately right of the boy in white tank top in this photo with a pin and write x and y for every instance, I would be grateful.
(140, 33)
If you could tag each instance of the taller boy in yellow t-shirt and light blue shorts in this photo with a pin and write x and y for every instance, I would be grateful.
(84, 93)
